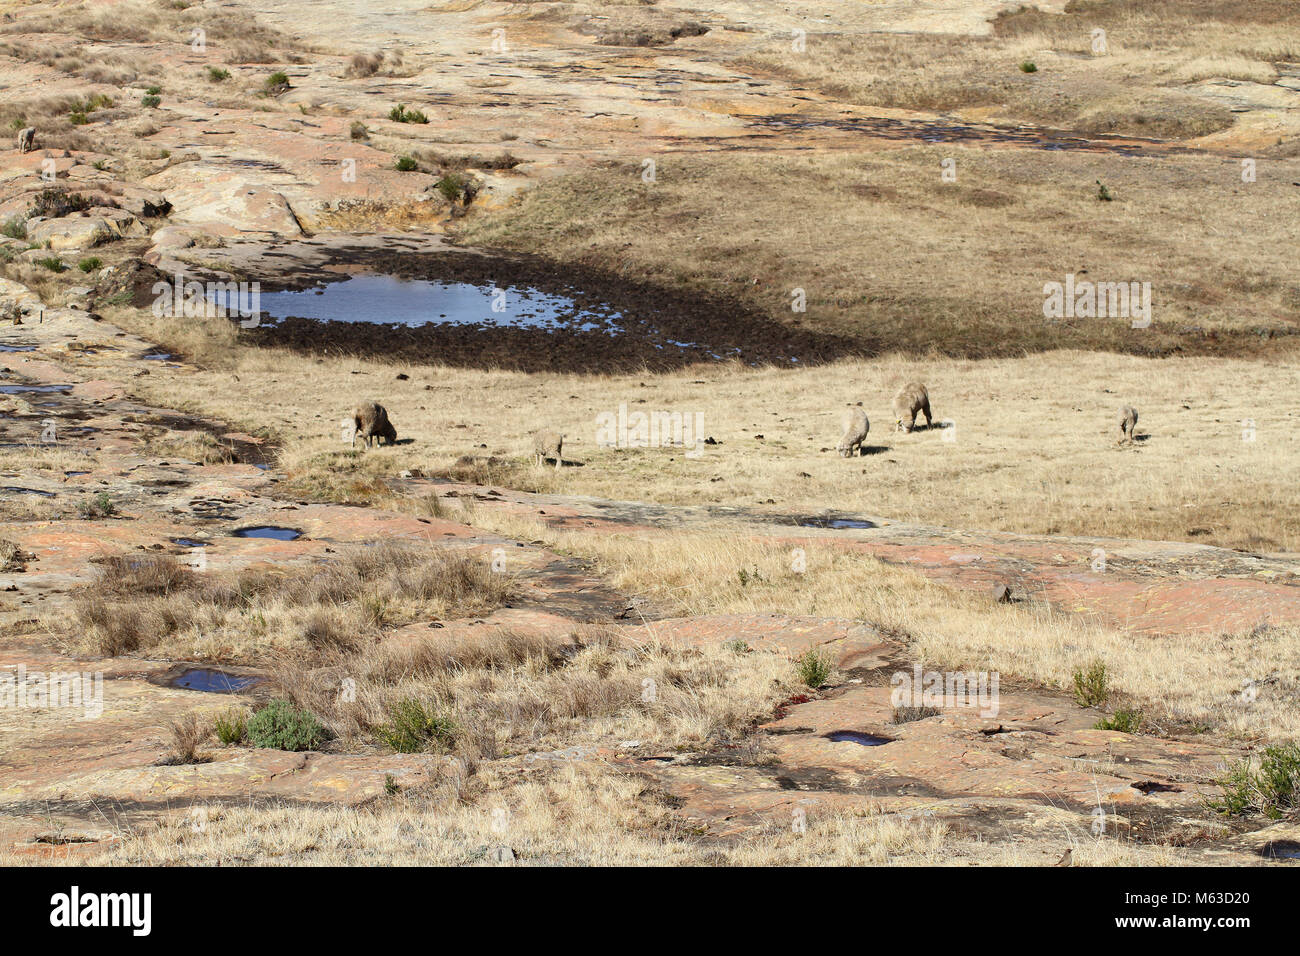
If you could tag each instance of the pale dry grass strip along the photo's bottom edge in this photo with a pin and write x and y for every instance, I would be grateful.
(575, 815)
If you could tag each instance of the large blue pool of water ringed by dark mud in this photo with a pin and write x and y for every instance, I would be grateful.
(393, 301)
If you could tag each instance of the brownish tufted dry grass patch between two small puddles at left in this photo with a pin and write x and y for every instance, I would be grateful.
(154, 604)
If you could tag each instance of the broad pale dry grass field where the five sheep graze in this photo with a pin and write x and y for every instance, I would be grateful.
(1034, 445)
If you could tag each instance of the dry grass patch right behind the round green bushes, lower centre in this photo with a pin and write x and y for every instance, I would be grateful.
(502, 694)
